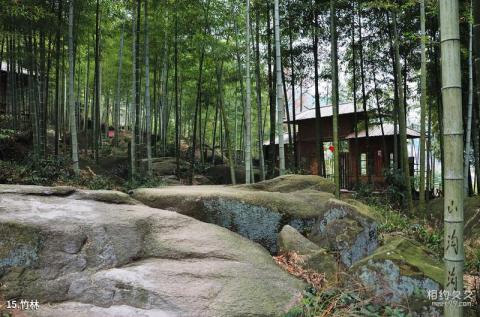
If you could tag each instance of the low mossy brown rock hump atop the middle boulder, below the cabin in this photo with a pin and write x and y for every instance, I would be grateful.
(291, 183)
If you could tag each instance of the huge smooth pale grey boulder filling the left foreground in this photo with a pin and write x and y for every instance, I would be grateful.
(92, 258)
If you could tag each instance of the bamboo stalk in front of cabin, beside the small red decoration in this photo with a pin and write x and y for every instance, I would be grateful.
(333, 30)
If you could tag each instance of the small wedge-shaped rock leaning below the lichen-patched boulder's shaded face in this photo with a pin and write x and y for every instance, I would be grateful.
(310, 254)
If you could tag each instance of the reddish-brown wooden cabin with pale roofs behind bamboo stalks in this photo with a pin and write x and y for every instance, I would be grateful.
(352, 161)
